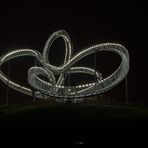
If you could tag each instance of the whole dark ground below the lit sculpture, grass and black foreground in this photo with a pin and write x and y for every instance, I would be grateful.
(45, 123)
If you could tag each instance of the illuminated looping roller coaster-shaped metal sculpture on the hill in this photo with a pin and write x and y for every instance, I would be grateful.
(43, 89)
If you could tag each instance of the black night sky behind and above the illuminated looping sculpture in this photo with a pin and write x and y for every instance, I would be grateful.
(28, 25)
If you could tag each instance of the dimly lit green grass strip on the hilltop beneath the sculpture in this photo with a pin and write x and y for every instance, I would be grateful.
(50, 110)
